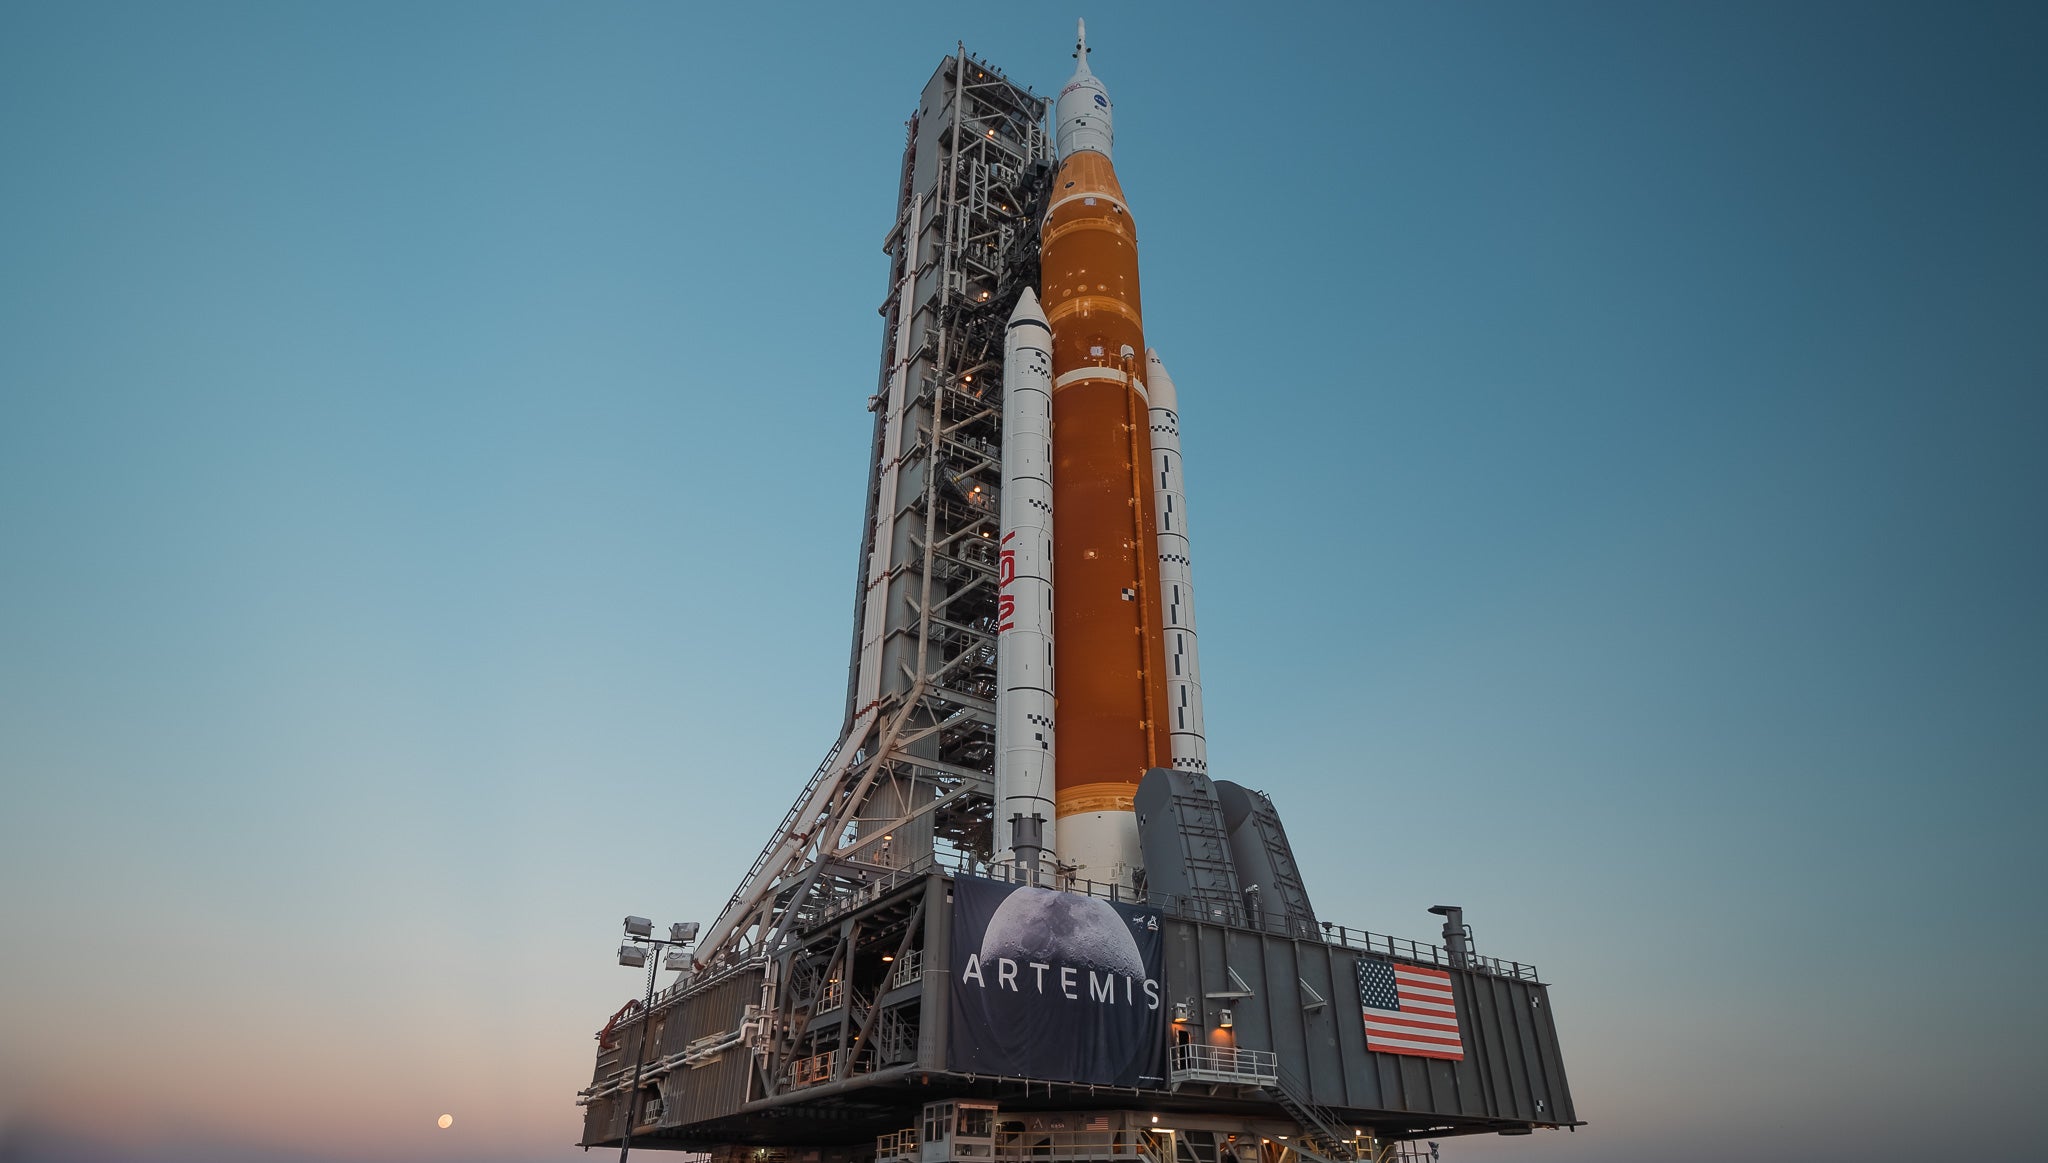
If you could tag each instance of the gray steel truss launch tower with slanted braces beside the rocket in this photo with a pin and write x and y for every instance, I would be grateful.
(910, 777)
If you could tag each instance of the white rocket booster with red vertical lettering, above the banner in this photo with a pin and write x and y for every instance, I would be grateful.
(1025, 589)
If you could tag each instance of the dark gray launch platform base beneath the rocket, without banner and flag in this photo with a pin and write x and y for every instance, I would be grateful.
(1267, 1043)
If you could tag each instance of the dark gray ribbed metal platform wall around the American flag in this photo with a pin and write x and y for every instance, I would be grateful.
(1512, 1066)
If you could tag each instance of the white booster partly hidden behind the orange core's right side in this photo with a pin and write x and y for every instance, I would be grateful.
(1177, 574)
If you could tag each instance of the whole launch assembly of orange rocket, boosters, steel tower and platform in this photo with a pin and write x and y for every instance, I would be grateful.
(976, 939)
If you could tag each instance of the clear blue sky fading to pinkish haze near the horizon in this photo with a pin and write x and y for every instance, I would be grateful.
(431, 476)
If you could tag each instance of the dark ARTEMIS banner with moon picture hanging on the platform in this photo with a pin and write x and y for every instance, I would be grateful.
(1056, 986)
